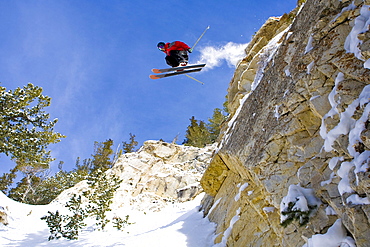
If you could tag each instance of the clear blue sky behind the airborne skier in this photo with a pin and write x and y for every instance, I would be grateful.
(93, 58)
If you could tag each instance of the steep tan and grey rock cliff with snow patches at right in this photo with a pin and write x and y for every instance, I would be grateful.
(296, 149)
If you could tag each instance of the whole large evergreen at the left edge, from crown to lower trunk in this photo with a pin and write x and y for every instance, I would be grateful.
(25, 133)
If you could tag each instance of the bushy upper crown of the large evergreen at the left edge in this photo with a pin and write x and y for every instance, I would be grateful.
(25, 129)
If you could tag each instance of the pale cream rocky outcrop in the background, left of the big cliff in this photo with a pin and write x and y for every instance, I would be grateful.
(158, 174)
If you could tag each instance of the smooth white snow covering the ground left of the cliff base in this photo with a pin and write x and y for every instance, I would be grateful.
(178, 224)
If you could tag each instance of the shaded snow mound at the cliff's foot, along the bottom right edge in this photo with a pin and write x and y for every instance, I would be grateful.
(336, 236)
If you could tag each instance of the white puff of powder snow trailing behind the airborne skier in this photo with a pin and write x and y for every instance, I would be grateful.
(214, 56)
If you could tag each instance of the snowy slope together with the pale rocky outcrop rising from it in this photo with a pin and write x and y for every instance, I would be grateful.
(160, 217)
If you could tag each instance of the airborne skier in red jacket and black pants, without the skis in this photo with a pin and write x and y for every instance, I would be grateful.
(177, 53)
